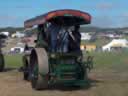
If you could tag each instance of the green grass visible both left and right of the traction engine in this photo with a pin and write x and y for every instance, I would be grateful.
(103, 61)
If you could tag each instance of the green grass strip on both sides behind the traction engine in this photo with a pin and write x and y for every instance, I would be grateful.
(100, 59)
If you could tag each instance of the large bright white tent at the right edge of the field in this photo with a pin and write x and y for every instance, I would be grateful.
(115, 43)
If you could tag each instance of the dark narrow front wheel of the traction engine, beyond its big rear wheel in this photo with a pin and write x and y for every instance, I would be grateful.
(26, 68)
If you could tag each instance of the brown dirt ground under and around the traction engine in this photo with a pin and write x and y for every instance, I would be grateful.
(107, 84)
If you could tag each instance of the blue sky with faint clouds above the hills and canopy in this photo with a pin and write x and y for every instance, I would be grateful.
(105, 13)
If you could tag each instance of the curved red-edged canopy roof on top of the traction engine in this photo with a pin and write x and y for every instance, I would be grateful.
(43, 18)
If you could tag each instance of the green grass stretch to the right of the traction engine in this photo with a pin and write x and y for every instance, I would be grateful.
(117, 61)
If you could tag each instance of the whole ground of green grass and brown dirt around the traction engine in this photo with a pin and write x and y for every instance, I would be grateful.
(109, 77)
